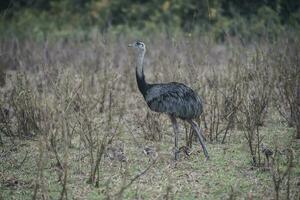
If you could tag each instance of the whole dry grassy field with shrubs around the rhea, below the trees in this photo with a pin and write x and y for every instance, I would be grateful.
(74, 126)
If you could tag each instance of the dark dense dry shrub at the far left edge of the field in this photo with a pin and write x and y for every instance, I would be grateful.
(20, 110)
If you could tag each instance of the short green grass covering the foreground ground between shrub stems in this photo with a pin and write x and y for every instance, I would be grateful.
(228, 172)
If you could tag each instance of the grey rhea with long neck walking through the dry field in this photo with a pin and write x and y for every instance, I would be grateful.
(175, 99)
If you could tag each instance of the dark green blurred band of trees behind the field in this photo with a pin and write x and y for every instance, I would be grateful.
(243, 19)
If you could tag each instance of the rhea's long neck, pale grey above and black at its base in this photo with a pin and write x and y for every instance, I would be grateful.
(140, 77)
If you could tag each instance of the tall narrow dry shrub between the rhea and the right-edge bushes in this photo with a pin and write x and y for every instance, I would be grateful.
(256, 90)
